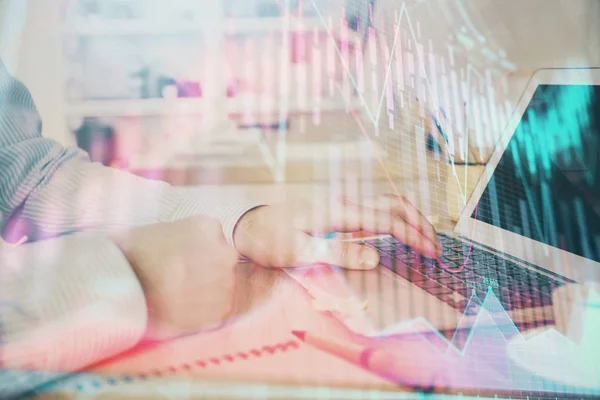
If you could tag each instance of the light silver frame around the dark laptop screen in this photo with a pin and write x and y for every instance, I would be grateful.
(550, 258)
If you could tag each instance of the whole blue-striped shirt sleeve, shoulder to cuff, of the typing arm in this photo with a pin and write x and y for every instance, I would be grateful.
(60, 191)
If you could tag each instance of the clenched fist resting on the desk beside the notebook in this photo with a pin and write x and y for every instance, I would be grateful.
(186, 269)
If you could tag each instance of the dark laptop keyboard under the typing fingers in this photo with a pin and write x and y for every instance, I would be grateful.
(515, 287)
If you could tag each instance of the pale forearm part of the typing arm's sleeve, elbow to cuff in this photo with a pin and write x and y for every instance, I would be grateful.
(82, 196)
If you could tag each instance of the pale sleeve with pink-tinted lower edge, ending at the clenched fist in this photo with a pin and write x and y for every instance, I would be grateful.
(66, 303)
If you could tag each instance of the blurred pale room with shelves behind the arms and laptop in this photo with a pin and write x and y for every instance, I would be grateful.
(233, 92)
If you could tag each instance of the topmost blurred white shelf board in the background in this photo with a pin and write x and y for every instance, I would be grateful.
(233, 27)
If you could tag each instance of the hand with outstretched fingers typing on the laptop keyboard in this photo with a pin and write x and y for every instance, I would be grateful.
(277, 236)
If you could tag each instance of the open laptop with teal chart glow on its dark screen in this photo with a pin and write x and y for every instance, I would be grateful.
(531, 225)
